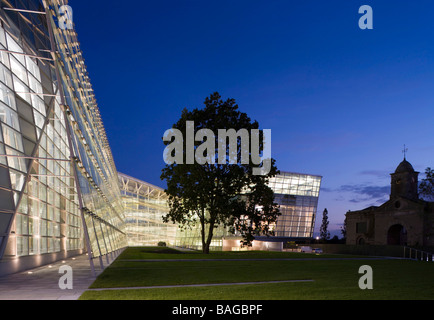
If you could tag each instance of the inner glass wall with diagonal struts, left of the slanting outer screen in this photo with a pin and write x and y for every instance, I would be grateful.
(39, 210)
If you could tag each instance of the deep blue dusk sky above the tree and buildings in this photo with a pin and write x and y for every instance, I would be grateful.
(340, 101)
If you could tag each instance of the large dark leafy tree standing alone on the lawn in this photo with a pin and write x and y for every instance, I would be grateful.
(214, 192)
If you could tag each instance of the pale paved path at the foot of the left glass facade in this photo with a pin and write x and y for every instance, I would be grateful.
(42, 283)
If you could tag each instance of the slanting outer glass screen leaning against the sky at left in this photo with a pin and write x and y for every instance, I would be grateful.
(97, 175)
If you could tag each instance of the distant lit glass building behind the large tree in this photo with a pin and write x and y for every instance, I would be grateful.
(145, 204)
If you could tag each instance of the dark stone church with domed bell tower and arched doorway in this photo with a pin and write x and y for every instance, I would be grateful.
(404, 219)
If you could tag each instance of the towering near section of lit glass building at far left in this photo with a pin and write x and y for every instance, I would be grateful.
(59, 191)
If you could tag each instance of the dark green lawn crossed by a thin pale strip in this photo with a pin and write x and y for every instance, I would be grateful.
(334, 276)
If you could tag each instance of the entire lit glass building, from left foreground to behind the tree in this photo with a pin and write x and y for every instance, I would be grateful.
(60, 192)
